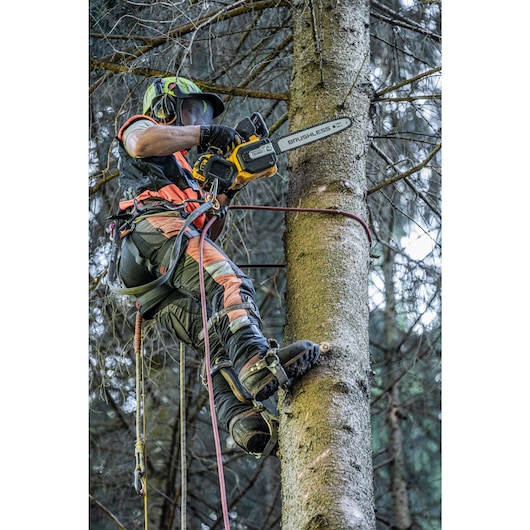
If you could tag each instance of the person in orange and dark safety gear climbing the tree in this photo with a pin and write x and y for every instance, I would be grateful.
(160, 248)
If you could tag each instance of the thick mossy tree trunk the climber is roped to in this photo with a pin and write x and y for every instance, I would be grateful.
(325, 435)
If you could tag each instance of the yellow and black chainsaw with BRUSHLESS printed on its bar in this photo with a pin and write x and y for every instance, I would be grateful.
(256, 156)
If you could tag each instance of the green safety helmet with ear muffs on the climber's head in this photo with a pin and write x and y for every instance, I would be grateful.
(163, 99)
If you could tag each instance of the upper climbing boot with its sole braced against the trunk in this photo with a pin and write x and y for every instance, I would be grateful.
(263, 374)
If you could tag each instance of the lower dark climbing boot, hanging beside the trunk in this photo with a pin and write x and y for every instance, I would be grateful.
(253, 434)
